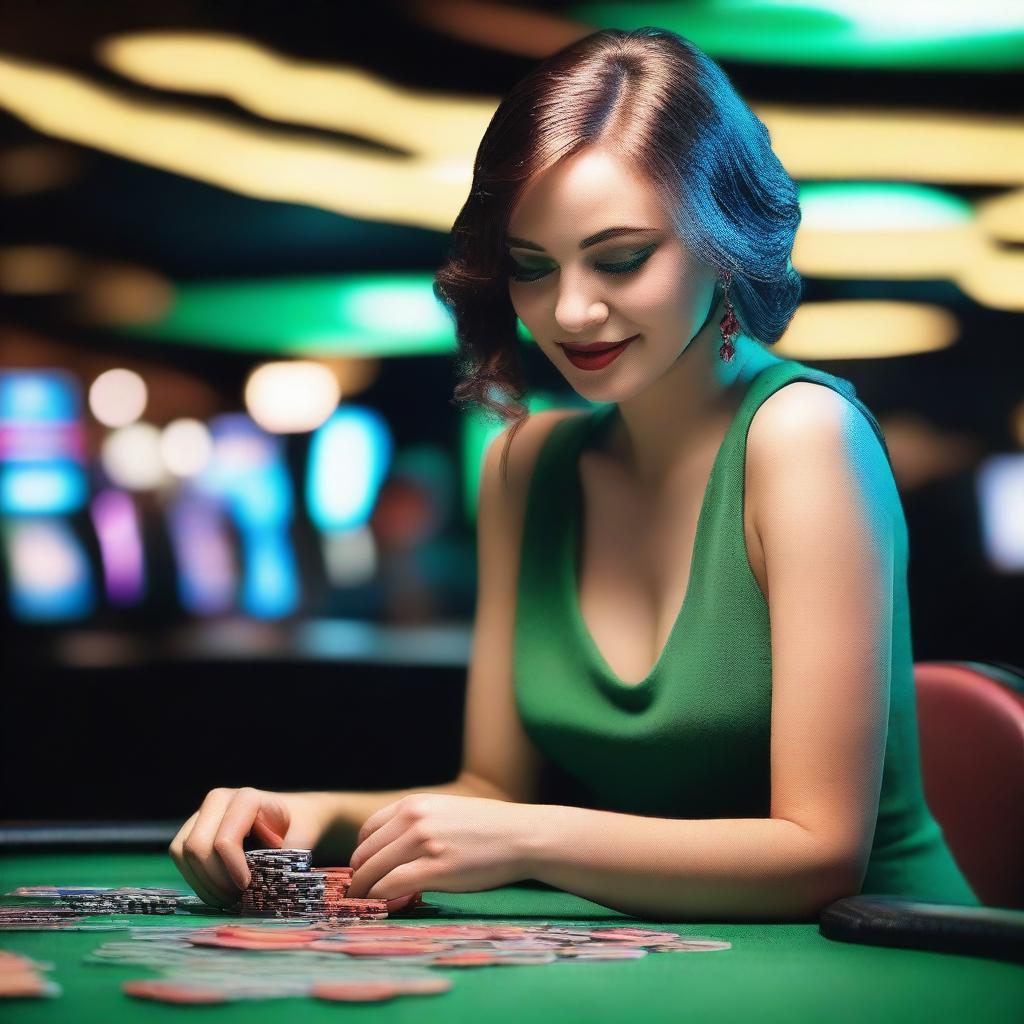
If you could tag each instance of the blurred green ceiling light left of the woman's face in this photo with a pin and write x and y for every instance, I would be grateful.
(371, 315)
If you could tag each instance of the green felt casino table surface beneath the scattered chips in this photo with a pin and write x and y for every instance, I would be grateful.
(774, 973)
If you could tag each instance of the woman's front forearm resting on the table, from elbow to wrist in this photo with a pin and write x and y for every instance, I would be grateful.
(685, 870)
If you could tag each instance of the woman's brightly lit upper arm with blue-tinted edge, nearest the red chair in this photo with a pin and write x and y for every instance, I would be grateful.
(825, 501)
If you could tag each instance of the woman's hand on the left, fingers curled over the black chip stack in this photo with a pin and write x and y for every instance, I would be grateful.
(208, 848)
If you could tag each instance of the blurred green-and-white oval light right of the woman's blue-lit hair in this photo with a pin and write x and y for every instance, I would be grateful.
(880, 206)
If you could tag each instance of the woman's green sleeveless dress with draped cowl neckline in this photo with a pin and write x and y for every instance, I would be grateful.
(693, 740)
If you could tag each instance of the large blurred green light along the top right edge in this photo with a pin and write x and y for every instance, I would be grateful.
(985, 35)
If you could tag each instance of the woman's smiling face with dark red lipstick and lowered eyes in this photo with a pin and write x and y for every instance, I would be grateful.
(643, 283)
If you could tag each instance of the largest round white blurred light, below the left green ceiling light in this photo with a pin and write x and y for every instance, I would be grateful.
(292, 398)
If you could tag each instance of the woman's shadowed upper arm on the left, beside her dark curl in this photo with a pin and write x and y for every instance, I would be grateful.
(497, 752)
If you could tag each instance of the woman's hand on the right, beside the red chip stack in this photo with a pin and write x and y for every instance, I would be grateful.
(444, 843)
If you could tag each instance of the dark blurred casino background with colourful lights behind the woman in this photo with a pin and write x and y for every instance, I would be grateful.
(238, 503)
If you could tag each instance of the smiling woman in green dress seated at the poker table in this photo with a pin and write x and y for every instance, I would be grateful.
(693, 619)
